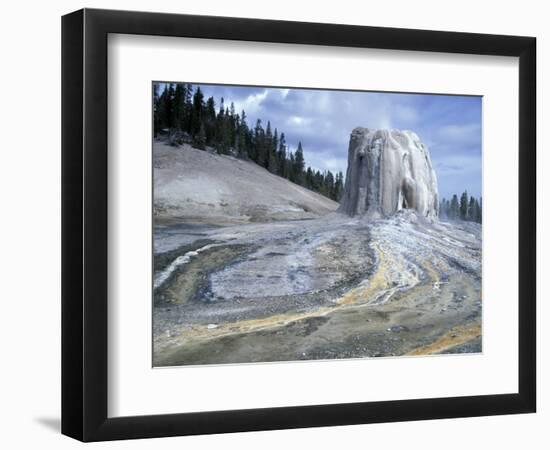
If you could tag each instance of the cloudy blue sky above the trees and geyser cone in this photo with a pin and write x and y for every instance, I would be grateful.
(449, 125)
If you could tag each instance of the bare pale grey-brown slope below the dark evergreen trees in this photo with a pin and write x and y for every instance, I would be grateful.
(198, 186)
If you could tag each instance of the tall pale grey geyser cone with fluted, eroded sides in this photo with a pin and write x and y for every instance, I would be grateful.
(389, 170)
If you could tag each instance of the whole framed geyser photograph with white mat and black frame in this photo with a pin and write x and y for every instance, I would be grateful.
(273, 224)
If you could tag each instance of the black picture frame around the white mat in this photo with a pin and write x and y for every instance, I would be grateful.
(84, 224)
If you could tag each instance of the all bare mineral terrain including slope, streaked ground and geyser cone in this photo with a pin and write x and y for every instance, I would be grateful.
(295, 276)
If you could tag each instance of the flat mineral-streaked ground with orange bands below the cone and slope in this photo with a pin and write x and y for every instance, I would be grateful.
(325, 288)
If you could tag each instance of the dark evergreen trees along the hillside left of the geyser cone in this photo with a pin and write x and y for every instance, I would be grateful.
(182, 114)
